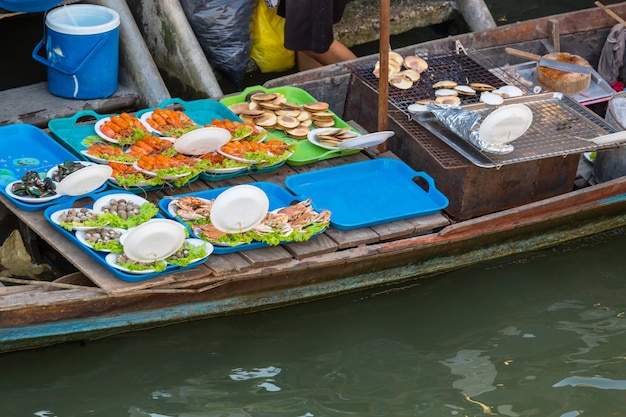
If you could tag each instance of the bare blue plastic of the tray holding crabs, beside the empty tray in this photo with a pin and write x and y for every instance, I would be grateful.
(277, 195)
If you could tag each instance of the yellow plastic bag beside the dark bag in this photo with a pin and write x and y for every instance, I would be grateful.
(268, 36)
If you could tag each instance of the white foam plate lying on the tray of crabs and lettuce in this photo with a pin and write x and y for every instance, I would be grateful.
(239, 208)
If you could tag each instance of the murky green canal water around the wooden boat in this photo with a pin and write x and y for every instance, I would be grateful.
(534, 335)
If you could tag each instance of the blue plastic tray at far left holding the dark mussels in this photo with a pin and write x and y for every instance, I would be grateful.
(24, 148)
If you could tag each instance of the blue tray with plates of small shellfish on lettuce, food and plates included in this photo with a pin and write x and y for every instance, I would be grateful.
(126, 234)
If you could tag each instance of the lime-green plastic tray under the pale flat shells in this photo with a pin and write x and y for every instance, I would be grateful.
(306, 152)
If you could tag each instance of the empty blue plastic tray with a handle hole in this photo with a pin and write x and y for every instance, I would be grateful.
(368, 193)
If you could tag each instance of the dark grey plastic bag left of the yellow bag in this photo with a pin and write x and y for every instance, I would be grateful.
(222, 28)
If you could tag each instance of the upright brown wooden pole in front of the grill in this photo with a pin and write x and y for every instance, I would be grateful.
(383, 81)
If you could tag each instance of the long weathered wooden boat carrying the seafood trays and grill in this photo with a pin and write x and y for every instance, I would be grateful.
(494, 212)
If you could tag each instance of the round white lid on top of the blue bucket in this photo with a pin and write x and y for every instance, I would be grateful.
(82, 19)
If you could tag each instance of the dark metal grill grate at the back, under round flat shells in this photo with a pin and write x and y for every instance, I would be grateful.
(461, 68)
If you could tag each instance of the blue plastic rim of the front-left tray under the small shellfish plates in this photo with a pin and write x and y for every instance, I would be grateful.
(99, 256)
